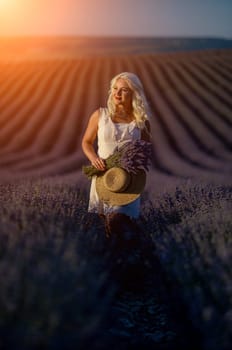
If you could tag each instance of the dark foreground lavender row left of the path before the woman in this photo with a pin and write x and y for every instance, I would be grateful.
(53, 294)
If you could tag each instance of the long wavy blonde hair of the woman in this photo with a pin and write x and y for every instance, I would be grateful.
(141, 110)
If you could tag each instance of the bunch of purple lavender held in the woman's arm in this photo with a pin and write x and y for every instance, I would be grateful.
(132, 156)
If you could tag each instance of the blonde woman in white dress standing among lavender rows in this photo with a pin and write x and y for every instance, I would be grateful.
(126, 118)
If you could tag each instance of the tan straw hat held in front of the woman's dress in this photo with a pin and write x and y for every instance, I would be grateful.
(118, 187)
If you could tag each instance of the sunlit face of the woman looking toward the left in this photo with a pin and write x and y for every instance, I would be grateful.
(122, 94)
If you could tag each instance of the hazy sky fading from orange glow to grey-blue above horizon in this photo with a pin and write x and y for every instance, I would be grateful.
(185, 18)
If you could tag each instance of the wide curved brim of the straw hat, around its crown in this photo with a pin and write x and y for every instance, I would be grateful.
(132, 192)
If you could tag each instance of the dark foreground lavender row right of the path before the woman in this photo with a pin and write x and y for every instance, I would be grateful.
(192, 229)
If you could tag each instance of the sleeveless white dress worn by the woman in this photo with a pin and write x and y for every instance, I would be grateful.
(110, 135)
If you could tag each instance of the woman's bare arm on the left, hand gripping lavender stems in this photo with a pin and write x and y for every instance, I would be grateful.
(89, 139)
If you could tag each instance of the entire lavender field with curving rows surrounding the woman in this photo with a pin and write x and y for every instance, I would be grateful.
(58, 274)
